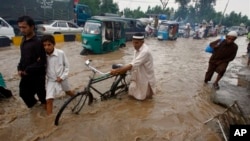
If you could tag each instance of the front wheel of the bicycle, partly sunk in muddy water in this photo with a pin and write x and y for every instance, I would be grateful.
(73, 105)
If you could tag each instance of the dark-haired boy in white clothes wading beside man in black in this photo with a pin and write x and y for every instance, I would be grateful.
(57, 72)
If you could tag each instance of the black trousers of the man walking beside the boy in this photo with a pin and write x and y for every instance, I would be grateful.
(31, 85)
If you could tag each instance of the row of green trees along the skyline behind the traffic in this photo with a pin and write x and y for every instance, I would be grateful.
(193, 11)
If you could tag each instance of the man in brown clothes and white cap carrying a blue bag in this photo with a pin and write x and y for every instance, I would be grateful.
(224, 52)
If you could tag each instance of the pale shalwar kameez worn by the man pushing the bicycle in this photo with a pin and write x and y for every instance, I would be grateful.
(142, 74)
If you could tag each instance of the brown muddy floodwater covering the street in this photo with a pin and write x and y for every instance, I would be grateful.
(176, 113)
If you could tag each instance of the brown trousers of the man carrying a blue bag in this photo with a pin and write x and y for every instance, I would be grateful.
(213, 67)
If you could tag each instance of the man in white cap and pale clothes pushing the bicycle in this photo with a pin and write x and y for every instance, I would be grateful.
(142, 83)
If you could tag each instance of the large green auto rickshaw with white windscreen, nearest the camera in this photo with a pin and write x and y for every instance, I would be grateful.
(103, 34)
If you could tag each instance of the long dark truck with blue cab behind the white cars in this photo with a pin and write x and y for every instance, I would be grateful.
(44, 10)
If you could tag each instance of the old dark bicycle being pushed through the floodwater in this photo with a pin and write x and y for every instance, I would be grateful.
(75, 104)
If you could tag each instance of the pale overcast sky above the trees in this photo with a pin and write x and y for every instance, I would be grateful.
(242, 6)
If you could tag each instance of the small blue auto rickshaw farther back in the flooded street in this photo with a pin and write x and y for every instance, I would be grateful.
(168, 30)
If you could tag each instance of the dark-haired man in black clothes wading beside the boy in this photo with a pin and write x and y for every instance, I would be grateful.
(31, 67)
